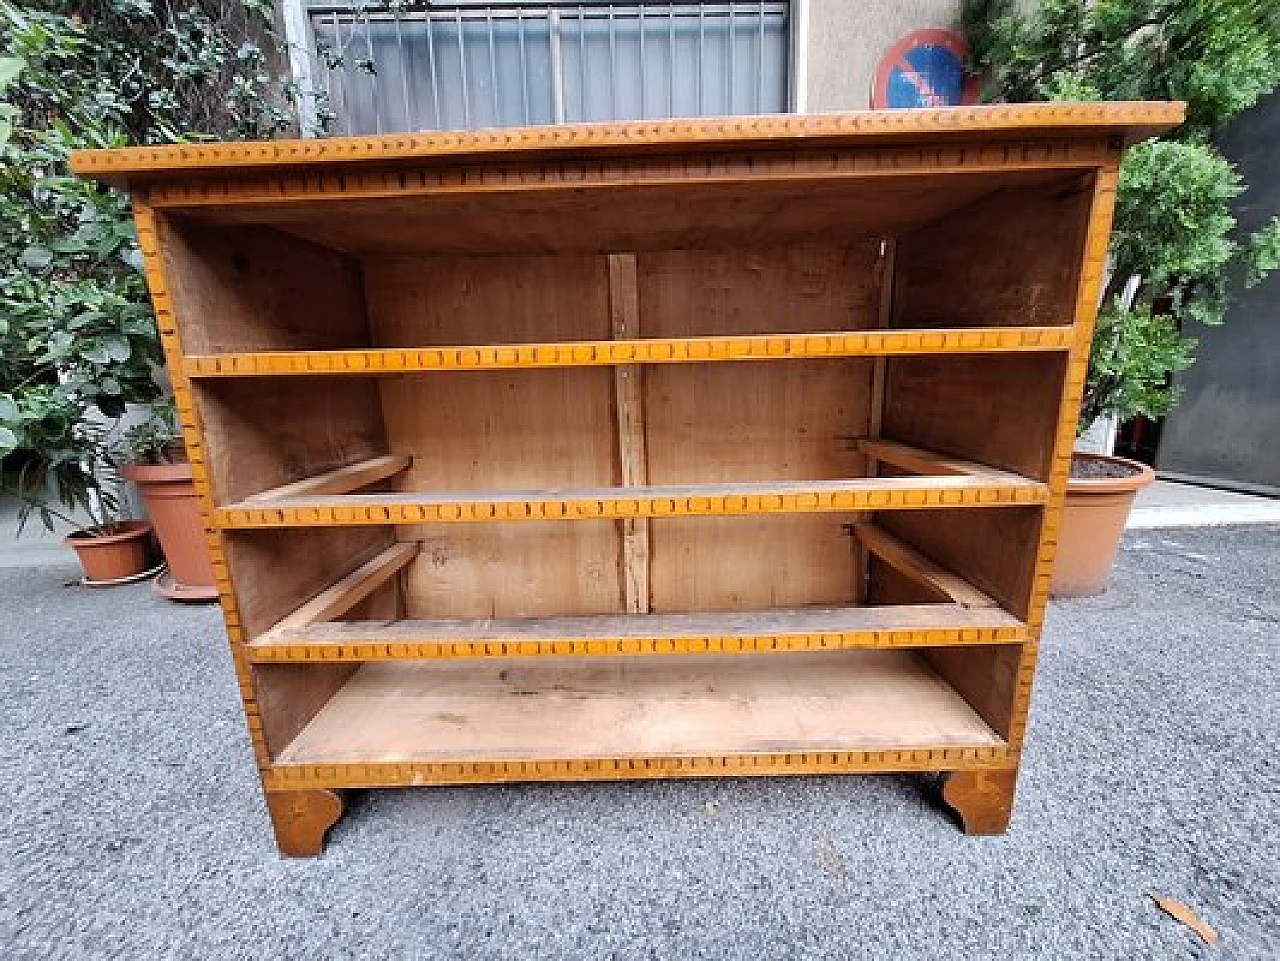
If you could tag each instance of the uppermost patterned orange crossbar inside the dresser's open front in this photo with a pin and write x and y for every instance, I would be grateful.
(852, 344)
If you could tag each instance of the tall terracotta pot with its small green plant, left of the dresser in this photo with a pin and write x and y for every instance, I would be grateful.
(157, 463)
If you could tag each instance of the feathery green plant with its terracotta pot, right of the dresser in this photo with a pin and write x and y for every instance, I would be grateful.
(1174, 250)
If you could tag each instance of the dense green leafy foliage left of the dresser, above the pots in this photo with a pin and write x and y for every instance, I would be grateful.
(76, 328)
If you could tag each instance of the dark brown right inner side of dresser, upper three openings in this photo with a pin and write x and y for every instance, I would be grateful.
(1012, 258)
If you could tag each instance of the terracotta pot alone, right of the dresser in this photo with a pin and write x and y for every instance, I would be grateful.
(1094, 520)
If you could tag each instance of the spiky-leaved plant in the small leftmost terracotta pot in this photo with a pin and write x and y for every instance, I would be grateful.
(68, 474)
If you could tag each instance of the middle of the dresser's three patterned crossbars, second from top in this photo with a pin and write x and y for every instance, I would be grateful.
(615, 504)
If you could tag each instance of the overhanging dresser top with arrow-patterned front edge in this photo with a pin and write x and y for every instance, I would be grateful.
(1131, 121)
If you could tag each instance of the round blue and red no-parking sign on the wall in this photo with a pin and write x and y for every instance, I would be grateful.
(925, 68)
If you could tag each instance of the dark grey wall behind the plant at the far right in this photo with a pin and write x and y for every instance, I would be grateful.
(1228, 423)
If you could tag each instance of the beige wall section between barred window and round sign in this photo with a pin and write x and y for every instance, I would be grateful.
(848, 38)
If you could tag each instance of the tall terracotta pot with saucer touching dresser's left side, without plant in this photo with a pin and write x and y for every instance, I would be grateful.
(171, 497)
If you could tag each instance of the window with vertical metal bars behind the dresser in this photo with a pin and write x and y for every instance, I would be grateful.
(386, 68)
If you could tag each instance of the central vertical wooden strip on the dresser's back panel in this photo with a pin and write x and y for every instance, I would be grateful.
(625, 314)
